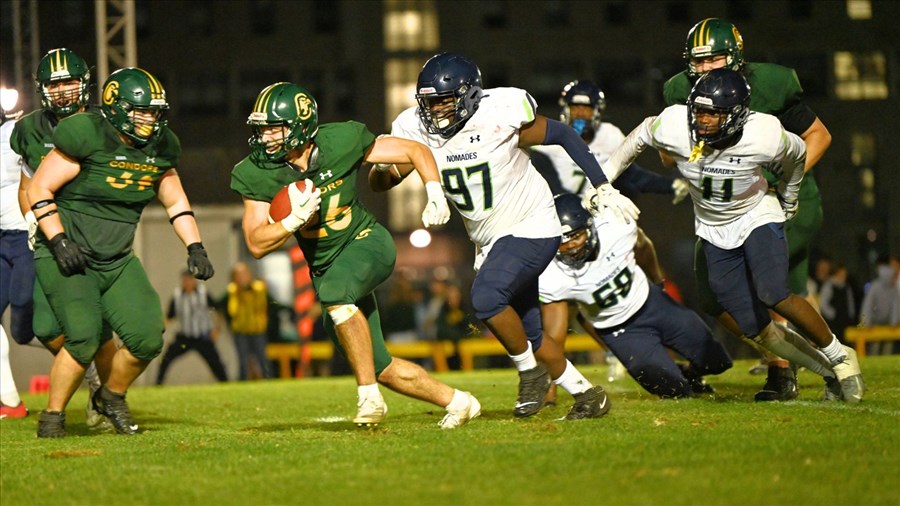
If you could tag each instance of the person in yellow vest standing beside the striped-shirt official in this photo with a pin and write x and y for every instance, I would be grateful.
(247, 310)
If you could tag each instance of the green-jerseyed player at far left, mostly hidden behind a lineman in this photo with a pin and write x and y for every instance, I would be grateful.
(63, 83)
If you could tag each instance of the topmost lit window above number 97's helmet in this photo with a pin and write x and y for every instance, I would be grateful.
(410, 26)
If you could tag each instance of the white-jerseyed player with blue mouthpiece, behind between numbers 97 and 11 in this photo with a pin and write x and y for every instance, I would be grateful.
(581, 106)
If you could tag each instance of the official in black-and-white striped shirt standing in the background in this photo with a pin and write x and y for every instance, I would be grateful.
(192, 306)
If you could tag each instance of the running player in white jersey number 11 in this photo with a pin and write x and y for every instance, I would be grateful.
(721, 150)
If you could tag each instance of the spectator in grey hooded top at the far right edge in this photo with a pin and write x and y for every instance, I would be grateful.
(880, 304)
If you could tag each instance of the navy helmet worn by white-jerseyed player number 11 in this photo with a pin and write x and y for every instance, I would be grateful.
(723, 92)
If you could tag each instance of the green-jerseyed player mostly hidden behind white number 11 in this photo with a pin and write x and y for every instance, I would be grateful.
(715, 43)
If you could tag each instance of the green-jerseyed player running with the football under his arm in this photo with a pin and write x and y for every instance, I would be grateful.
(349, 253)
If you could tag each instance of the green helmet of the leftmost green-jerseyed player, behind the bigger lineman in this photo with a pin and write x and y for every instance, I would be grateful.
(63, 65)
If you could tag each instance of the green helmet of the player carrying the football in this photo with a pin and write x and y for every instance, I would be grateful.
(287, 105)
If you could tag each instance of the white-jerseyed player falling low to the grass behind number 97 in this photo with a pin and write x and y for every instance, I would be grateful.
(598, 267)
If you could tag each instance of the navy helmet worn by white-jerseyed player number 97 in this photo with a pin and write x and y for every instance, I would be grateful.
(448, 75)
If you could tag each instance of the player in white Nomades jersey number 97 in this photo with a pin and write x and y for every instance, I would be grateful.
(479, 138)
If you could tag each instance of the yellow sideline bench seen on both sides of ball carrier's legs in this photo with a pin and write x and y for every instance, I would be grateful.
(283, 353)
